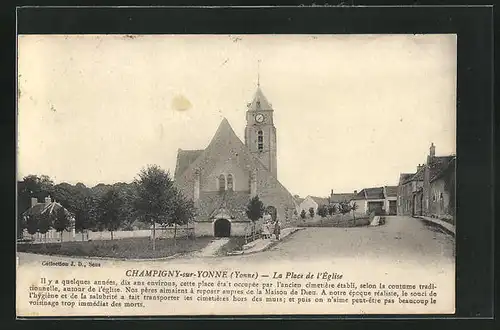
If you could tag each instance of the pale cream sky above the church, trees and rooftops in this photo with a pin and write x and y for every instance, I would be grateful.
(351, 111)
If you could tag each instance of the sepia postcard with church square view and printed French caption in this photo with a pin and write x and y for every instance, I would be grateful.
(236, 174)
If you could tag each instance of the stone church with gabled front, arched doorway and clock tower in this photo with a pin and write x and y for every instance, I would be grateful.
(223, 177)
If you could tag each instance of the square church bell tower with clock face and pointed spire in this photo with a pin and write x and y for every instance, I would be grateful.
(260, 133)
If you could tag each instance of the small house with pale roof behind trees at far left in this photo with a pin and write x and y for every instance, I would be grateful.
(50, 208)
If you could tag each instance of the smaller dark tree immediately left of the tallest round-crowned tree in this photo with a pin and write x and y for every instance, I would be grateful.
(109, 211)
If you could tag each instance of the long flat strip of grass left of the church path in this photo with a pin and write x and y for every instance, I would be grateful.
(127, 248)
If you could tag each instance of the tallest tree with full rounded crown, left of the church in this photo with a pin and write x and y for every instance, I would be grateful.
(155, 197)
